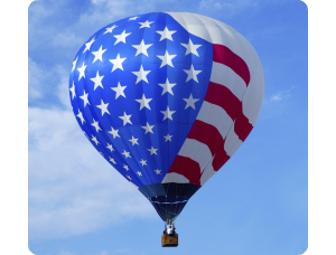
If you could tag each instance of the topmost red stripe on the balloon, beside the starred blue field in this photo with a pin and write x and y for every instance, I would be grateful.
(225, 56)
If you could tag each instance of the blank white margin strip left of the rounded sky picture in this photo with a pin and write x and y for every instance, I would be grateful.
(14, 127)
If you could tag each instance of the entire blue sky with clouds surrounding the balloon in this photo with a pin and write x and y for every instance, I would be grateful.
(256, 204)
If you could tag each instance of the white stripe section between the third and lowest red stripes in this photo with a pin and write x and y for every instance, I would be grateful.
(197, 151)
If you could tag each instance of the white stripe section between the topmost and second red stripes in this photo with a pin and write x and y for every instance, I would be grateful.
(225, 76)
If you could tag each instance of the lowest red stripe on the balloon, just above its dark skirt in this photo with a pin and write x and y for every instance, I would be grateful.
(188, 168)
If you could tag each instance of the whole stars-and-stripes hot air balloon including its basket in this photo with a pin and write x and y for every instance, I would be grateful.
(166, 99)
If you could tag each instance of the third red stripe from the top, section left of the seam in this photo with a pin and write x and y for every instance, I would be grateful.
(207, 134)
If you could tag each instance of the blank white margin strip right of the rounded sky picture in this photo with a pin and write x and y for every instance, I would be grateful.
(322, 126)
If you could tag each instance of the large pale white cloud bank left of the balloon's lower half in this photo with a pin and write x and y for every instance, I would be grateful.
(72, 190)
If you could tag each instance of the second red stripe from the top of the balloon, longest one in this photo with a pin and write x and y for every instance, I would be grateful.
(220, 95)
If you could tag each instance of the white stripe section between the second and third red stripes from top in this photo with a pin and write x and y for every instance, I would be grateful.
(216, 116)
